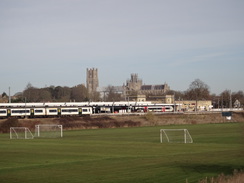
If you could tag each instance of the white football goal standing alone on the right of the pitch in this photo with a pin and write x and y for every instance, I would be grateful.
(175, 136)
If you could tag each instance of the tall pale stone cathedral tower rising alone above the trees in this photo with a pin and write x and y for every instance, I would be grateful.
(92, 80)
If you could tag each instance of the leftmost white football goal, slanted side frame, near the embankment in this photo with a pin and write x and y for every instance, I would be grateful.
(20, 133)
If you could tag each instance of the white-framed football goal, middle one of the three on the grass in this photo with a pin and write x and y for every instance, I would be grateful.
(48, 131)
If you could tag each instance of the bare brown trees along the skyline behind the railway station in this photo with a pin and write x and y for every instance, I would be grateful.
(198, 90)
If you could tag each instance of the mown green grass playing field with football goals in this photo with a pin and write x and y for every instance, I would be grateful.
(123, 155)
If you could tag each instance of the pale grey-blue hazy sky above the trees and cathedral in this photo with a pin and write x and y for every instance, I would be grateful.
(53, 42)
